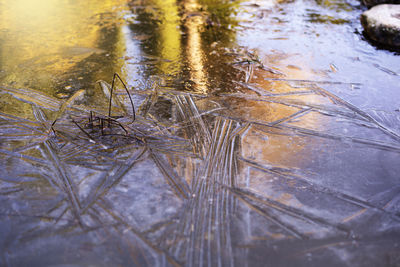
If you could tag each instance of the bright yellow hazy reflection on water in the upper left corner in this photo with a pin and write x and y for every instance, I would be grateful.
(43, 38)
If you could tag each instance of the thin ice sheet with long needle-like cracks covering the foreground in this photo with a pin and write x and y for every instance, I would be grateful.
(222, 181)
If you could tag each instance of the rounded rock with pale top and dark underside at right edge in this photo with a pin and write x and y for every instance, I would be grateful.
(382, 24)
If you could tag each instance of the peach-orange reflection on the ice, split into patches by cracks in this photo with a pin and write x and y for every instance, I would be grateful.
(281, 150)
